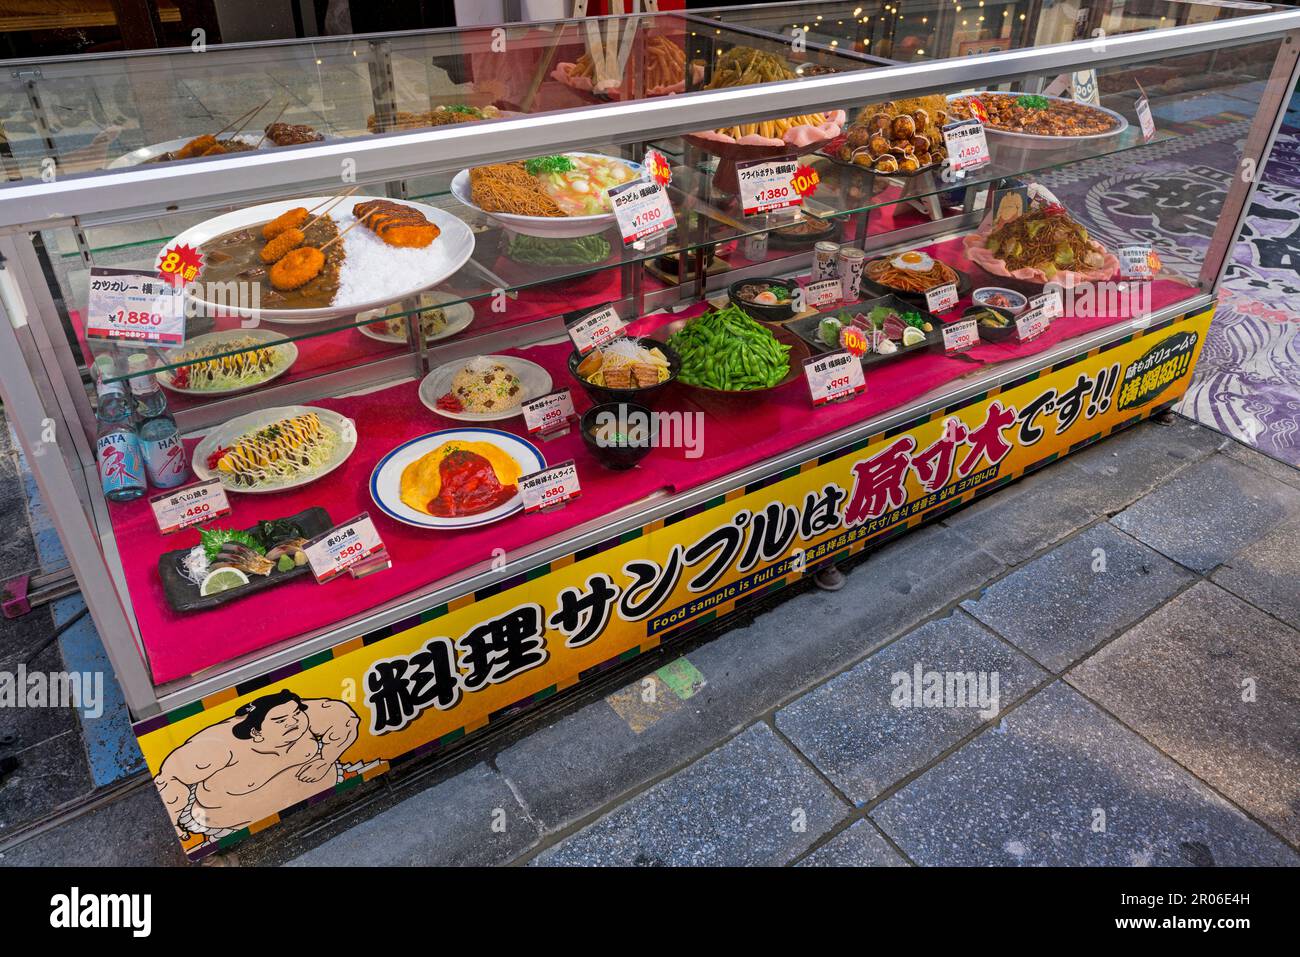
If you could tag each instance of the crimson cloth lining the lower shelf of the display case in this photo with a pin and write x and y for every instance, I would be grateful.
(738, 434)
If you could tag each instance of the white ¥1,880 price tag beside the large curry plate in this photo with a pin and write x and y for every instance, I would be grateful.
(127, 305)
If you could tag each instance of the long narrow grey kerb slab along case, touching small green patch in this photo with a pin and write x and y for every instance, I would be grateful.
(574, 767)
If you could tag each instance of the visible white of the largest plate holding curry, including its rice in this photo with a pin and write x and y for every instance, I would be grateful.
(450, 252)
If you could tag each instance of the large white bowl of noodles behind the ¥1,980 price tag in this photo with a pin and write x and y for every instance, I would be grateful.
(561, 197)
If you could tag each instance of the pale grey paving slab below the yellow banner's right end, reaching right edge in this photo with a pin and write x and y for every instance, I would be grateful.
(1210, 513)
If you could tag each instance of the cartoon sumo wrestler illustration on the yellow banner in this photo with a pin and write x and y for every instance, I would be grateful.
(275, 752)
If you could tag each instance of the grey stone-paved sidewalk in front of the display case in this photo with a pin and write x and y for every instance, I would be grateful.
(1136, 603)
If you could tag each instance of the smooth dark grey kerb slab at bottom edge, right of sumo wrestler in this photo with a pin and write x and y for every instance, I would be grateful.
(473, 820)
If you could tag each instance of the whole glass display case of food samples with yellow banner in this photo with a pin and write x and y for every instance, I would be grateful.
(408, 382)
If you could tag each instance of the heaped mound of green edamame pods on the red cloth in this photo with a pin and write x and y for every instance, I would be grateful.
(729, 352)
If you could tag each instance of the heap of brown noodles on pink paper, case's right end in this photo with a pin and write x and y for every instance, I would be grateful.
(1041, 246)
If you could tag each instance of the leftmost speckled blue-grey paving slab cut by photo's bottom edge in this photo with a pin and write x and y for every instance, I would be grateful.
(751, 803)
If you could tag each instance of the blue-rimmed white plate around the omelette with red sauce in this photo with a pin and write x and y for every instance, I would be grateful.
(387, 478)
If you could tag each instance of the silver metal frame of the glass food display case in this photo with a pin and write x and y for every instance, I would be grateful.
(47, 401)
